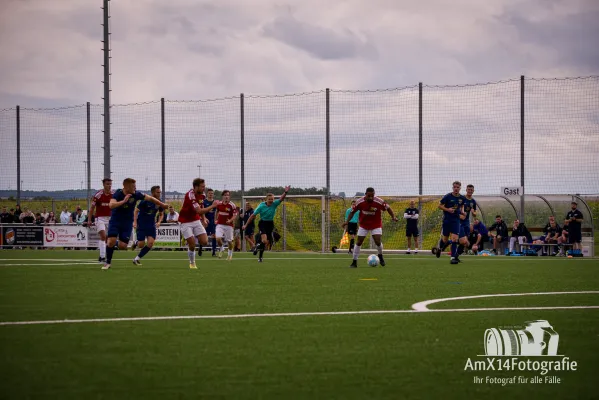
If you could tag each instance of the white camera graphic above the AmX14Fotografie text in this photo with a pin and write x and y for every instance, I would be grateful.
(538, 338)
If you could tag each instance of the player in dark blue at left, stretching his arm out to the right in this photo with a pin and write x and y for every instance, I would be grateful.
(120, 226)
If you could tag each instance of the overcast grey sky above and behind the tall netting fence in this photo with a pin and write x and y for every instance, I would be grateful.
(196, 50)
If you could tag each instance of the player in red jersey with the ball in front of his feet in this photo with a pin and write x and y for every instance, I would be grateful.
(371, 221)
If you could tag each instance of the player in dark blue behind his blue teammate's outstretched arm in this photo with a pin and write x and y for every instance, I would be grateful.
(145, 224)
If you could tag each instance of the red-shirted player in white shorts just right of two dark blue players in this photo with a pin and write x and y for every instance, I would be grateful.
(192, 225)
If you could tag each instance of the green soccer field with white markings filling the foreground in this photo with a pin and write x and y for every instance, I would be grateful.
(245, 330)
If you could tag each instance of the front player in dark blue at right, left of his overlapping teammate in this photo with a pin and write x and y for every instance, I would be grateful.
(452, 205)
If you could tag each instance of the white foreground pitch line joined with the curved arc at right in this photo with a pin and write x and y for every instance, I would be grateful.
(307, 314)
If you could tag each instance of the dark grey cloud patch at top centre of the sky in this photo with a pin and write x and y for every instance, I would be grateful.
(320, 42)
